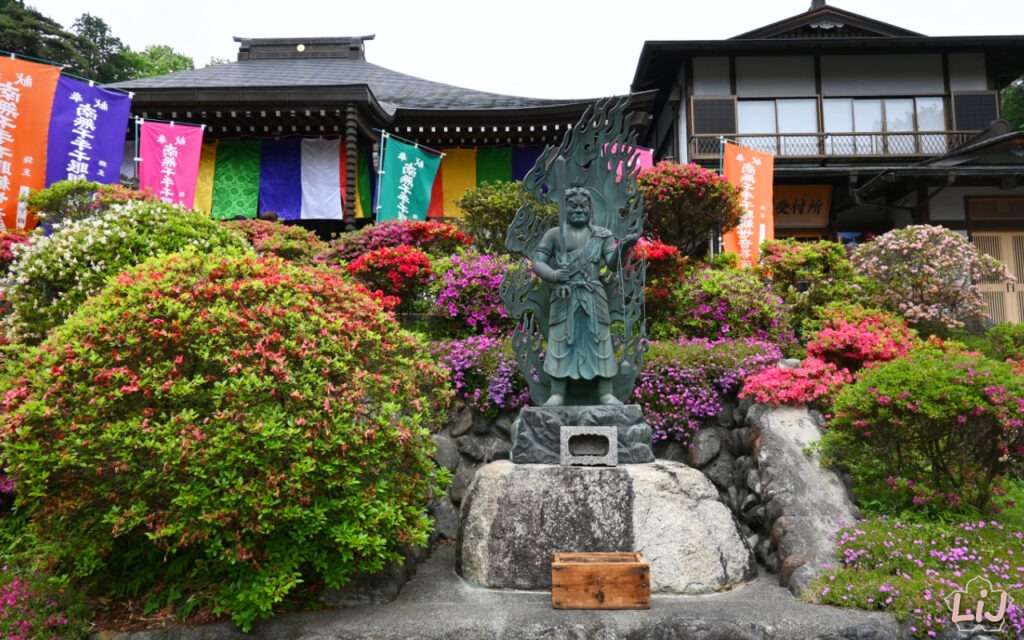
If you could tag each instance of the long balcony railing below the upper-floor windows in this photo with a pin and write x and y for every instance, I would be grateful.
(904, 144)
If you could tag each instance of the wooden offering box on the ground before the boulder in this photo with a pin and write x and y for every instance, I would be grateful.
(601, 581)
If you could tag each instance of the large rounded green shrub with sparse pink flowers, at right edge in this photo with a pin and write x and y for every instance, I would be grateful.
(937, 430)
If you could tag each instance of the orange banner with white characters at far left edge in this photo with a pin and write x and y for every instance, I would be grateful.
(26, 100)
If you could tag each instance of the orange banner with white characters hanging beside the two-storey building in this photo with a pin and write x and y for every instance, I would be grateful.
(753, 173)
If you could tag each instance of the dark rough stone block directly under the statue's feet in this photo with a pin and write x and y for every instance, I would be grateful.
(537, 433)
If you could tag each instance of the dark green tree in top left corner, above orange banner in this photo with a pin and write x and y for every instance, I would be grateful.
(27, 32)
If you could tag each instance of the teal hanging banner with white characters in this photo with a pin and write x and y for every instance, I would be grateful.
(407, 180)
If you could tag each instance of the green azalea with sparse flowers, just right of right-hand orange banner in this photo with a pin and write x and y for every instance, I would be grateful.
(809, 277)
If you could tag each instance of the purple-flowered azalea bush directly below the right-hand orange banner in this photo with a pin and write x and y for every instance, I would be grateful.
(727, 304)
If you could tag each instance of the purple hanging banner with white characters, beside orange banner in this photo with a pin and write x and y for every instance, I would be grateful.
(88, 134)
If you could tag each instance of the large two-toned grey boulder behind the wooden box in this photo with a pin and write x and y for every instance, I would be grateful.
(515, 518)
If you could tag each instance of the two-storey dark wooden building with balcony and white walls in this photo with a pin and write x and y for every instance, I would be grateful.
(873, 127)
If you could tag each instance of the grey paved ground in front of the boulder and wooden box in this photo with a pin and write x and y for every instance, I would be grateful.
(438, 605)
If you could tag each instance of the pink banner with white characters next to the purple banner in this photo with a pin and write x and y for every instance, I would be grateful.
(169, 165)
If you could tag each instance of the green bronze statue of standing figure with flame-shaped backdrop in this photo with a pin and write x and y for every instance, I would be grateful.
(579, 292)
